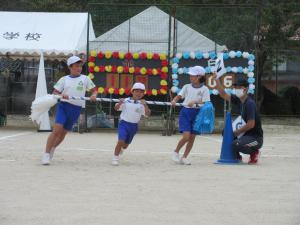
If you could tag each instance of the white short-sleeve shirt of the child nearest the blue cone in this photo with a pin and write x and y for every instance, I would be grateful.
(190, 93)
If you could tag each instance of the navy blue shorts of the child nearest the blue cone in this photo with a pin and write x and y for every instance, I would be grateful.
(187, 117)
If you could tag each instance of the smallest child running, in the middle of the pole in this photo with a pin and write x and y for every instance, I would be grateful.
(129, 118)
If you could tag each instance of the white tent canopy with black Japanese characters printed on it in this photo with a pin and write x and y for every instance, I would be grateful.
(52, 33)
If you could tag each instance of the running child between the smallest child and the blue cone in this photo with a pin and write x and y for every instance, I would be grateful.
(194, 93)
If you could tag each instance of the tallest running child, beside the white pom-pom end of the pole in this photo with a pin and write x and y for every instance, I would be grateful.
(68, 111)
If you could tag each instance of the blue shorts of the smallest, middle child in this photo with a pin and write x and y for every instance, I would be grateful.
(126, 131)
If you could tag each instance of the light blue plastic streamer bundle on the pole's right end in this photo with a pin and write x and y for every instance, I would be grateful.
(205, 120)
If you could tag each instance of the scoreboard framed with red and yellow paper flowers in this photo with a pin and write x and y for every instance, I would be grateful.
(115, 72)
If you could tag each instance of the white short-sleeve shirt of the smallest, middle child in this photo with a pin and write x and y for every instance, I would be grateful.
(131, 112)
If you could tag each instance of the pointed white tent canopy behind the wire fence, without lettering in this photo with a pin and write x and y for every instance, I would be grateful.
(149, 31)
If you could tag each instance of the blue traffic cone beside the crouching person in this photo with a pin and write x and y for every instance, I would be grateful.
(227, 155)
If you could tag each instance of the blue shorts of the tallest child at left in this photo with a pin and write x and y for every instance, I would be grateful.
(67, 114)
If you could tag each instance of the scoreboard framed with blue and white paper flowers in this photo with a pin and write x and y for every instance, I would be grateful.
(237, 63)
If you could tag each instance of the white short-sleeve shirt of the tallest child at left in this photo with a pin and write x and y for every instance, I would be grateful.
(74, 86)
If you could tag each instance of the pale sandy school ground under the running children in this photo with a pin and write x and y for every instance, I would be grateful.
(82, 188)
